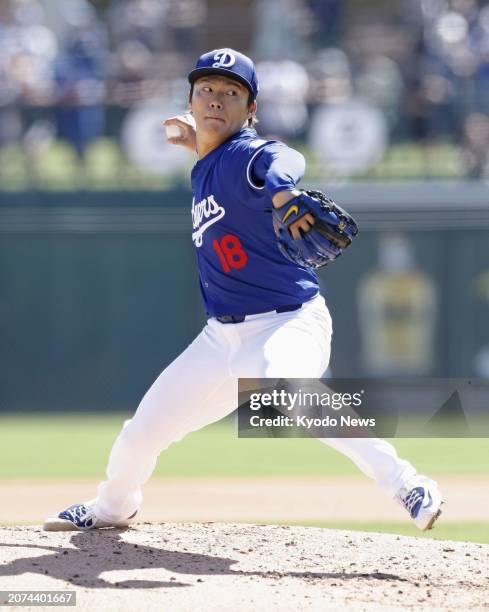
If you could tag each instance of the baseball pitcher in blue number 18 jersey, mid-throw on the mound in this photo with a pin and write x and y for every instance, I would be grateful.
(258, 241)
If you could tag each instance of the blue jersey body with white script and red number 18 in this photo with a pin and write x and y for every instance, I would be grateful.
(241, 269)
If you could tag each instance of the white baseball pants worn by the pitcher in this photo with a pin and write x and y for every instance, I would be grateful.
(201, 387)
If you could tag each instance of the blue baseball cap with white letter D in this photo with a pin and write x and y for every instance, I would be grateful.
(229, 63)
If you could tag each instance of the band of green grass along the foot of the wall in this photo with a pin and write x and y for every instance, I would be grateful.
(77, 446)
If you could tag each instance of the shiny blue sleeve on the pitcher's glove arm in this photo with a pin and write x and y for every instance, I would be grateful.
(275, 167)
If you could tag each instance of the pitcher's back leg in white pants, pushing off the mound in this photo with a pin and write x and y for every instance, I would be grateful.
(191, 392)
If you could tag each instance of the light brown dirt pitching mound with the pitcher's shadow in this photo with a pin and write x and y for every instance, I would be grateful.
(211, 566)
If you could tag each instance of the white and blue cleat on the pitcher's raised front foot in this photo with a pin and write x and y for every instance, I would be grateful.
(421, 497)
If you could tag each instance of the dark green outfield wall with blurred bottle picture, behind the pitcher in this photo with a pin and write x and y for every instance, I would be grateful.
(99, 291)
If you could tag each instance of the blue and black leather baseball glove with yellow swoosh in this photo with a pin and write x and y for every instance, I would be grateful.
(333, 229)
